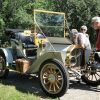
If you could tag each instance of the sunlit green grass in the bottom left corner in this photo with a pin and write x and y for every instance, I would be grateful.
(10, 93)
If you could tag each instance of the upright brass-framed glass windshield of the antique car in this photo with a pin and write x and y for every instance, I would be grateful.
(52, 24)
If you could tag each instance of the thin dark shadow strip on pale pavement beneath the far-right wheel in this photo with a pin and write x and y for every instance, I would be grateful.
(82, 86)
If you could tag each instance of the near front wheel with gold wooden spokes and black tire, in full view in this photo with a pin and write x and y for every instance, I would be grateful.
(54, 79)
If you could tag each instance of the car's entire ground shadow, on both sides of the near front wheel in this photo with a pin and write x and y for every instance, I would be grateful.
(27, 84)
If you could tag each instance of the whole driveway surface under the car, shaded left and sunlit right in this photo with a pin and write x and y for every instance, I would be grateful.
(76, 91)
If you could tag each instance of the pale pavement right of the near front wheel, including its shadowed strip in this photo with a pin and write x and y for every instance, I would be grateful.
(80, 91)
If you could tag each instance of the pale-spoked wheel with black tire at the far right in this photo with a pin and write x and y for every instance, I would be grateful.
(91, 76)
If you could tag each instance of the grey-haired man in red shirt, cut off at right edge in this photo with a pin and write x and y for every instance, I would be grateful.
(96, 25)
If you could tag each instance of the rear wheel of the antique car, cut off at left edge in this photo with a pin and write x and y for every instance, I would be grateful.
(3, 70)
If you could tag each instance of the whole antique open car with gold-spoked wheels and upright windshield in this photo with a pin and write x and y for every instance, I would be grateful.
(46, 51)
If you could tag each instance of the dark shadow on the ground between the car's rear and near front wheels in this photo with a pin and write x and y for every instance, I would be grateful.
(24, 83)
